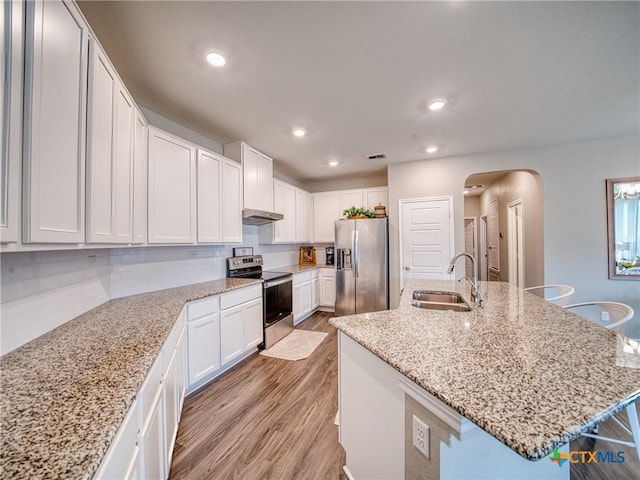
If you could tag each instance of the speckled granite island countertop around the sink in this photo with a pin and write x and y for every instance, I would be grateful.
(528, 372)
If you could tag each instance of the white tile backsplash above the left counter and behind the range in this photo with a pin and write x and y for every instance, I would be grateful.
(42, 290)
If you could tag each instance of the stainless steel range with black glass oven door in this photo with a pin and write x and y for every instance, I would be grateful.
(277, 295)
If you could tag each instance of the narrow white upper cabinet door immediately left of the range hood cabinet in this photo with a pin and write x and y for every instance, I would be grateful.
(231, 202)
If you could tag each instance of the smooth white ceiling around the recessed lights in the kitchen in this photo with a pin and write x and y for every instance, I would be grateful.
(357, 74)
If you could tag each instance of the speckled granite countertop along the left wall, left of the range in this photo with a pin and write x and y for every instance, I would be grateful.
(64, 395)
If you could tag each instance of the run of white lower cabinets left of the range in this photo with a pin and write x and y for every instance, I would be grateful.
(230, 323)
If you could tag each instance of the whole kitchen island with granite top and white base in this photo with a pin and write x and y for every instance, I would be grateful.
(523, 371)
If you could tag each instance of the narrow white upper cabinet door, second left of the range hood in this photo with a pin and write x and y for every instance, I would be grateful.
(209, 196)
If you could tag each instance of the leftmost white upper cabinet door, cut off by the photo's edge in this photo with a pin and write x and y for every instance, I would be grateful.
(11, 68)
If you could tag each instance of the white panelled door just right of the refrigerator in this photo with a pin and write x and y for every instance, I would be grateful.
(426, 237)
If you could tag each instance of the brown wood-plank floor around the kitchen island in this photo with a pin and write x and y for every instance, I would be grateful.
(274, 419)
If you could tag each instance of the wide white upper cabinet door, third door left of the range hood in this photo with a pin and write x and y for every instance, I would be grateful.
(172, 189)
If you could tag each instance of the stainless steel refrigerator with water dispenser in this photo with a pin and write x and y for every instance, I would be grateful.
(362, 265)
